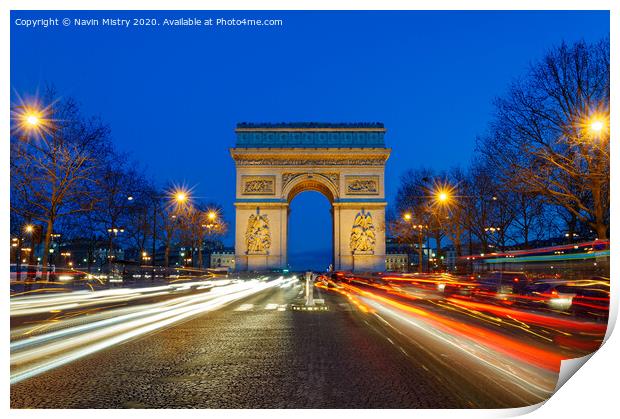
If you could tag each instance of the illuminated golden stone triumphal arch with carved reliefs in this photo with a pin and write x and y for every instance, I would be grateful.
(344, 162)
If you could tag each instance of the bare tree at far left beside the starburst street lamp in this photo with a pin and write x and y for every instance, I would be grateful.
(54, 166)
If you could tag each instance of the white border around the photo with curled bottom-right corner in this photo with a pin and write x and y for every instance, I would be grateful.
(592, 393)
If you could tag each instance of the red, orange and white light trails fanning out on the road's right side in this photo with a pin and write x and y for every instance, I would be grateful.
(528, 366)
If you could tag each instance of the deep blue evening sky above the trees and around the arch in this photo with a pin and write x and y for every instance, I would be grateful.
(173, 95)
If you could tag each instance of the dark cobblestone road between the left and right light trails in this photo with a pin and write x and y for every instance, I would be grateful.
(257, 353)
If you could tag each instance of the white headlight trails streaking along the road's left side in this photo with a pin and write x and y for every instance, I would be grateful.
(37, 354)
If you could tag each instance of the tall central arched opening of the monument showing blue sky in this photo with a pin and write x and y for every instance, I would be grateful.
(310, 232)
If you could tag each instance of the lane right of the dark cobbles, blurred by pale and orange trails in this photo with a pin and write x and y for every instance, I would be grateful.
(479, 372)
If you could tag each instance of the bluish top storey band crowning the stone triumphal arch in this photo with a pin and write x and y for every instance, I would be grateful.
(310, 135)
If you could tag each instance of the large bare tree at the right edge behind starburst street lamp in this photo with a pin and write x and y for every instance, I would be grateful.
(550, 132)
